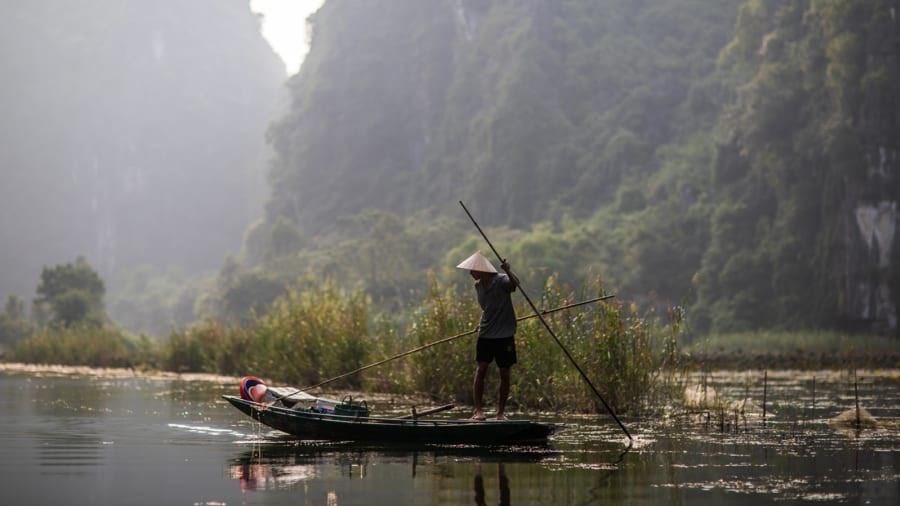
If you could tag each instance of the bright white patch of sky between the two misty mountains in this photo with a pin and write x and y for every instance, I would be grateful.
(284, 26)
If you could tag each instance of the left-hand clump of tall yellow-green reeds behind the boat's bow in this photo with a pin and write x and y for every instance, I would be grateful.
(302, 338)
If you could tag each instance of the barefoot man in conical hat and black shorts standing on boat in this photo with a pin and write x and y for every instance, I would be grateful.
(497, 329)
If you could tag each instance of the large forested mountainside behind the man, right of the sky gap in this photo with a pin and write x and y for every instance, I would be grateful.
(738, 156)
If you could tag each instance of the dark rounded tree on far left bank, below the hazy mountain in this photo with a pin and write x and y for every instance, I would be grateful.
(74, 293)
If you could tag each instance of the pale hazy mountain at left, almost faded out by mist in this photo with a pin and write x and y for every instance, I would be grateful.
(133, 134)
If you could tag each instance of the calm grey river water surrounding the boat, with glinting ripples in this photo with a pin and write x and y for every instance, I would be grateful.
(87, 437)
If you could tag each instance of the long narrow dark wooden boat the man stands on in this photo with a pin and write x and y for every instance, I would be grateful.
(308, 423)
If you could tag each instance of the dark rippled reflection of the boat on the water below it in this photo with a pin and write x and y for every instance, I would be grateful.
(490, 472)
